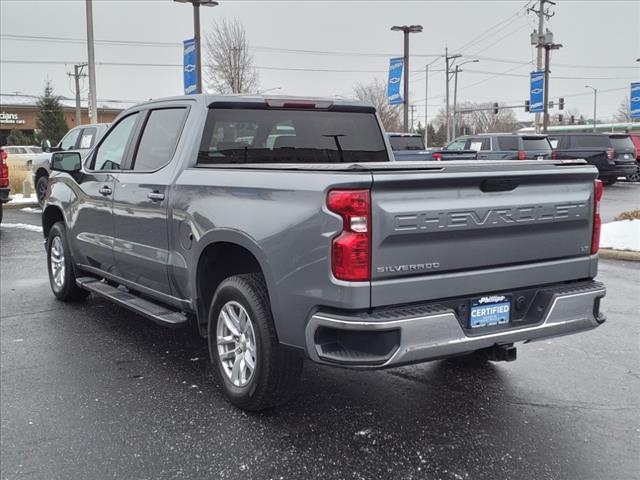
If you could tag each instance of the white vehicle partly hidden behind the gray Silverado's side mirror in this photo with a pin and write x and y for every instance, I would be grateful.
(81, 138)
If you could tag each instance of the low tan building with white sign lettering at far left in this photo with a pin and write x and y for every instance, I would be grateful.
(20, 112)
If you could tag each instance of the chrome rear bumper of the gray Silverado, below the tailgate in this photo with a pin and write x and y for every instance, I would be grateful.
(421, 333)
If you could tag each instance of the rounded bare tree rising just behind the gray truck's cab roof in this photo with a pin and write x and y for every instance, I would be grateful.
(229, 62)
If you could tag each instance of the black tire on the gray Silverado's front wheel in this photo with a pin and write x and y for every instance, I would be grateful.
(64, 286)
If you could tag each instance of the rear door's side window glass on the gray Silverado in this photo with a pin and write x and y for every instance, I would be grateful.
(159, 138)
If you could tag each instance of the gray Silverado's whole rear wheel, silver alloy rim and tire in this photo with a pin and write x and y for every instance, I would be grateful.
(255, 372)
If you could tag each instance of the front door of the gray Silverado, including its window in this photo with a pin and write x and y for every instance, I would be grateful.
(92, 225)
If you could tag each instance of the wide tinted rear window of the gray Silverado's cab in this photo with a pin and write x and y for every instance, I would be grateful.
(251, 135)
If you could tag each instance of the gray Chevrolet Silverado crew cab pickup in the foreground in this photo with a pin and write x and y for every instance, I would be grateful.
(312, 244)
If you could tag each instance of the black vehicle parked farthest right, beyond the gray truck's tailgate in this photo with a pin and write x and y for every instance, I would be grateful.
(612, 154)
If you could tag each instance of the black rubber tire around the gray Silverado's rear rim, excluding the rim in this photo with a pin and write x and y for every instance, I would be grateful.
(277, 371)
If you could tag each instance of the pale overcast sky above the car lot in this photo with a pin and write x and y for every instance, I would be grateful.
(336, 44)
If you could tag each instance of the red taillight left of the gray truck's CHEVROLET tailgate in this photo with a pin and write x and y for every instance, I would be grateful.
(351, 249)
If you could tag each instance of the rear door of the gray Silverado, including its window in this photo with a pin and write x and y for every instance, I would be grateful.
(141, 196)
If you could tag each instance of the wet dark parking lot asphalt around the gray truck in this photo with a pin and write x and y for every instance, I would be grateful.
(92, 391)
